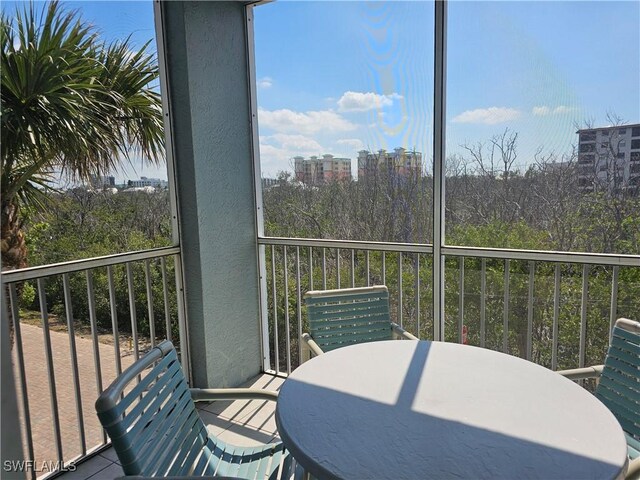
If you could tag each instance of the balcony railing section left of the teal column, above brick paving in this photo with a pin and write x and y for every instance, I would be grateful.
(94, 317)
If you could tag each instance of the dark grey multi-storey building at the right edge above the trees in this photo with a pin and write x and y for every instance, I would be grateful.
(609, 158)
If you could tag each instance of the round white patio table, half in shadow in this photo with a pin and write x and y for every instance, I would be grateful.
(435, 410)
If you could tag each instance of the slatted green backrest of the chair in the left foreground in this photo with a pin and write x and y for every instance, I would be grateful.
(154, 426)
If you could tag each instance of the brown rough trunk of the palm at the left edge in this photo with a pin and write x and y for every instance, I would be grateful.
(14, 251)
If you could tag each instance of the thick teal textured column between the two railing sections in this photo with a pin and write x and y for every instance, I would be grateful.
(205, 46)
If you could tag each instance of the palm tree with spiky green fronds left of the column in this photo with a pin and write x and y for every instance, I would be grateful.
(72, 105)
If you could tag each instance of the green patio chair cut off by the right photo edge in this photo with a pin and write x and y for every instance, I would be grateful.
(619, 385)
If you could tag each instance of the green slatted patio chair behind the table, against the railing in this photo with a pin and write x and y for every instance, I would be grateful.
(348, 316)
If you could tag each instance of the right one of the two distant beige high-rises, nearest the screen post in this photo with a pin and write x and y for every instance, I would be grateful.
(401, 161)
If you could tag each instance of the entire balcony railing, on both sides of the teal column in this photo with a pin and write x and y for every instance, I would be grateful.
(554, 308)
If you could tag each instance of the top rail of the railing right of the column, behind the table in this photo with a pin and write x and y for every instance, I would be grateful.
(458, 251)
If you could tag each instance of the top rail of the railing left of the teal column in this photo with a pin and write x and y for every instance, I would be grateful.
(31, 273)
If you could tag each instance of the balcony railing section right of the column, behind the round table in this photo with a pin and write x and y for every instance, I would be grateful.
(554, 308)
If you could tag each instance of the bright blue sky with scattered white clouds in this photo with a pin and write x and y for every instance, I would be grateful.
(335, 77)
